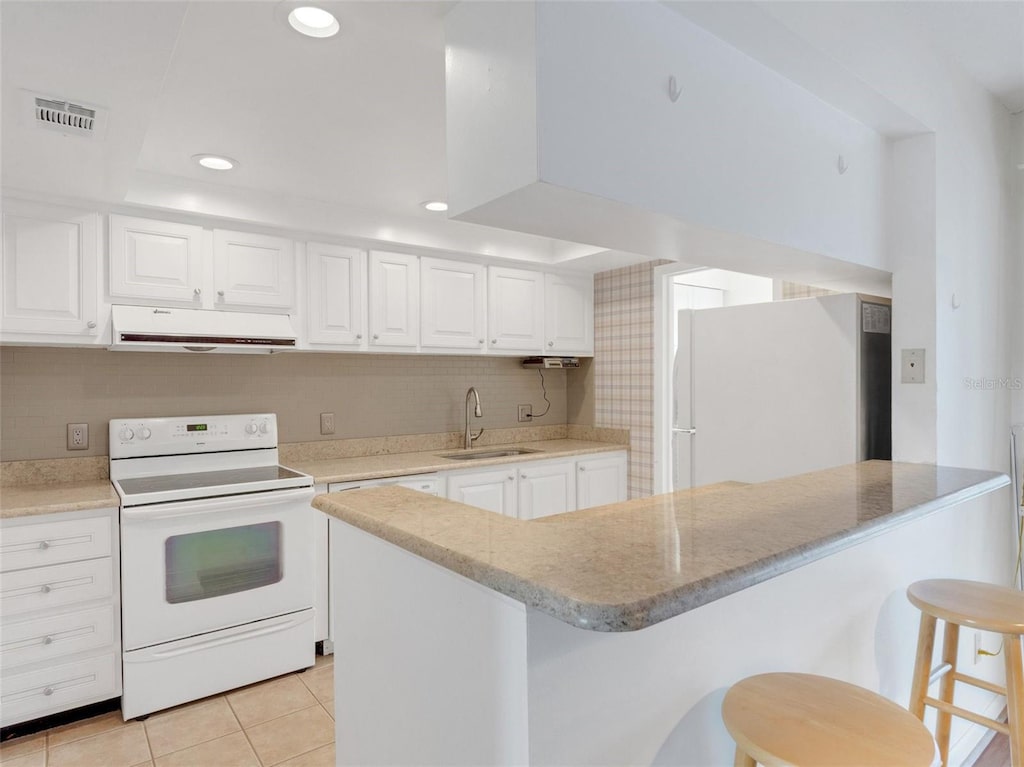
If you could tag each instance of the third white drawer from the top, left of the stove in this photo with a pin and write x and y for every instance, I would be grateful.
(56, 636)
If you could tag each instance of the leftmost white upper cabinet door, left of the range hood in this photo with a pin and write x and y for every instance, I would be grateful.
(51, 270)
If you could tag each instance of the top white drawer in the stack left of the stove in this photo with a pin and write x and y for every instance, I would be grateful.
(51, 543)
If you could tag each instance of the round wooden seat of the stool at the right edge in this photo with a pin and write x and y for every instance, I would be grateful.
(979, 606)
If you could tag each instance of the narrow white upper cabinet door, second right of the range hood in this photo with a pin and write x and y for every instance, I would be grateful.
(395, 300)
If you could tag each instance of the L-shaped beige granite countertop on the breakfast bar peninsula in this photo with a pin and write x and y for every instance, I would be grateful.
(629, 566)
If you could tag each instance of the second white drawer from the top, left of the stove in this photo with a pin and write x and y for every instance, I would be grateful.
(42, 588)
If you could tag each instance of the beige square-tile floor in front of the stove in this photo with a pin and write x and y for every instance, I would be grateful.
(288, 721)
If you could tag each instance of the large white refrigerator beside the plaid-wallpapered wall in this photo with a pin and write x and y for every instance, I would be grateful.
(769, 391)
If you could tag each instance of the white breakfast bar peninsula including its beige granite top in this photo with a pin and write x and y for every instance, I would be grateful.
(610, 635)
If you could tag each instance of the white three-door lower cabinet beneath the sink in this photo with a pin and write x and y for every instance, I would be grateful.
(530, 490)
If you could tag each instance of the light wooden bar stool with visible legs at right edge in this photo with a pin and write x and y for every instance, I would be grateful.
(977, 606)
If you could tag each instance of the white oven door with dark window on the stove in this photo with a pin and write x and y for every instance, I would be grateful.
(197, 567)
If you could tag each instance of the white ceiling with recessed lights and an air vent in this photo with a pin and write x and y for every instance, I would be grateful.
(352, 127)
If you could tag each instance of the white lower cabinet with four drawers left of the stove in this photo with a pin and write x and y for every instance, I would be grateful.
(60, 601)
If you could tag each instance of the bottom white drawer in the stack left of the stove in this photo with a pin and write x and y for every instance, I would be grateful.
(59, 688)
